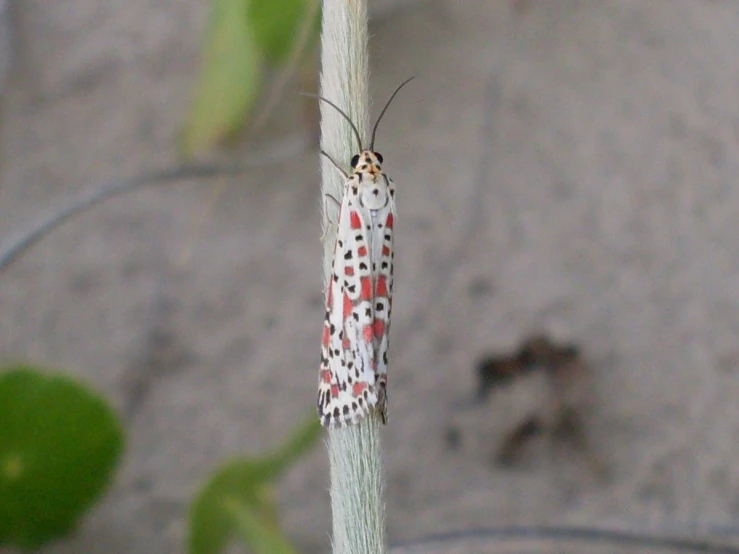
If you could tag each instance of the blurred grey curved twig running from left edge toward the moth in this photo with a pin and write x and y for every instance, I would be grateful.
(179, 173)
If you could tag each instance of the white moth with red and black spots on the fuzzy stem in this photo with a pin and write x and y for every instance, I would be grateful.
(354, 346)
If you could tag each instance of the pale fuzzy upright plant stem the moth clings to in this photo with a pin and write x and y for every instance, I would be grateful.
(357, 481)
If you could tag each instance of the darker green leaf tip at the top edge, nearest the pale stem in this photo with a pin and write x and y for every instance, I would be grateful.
(276, 25)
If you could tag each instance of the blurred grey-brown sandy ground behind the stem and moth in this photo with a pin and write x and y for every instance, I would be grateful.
(562, 166)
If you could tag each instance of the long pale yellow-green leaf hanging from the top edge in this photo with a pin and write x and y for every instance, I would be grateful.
(229, 81)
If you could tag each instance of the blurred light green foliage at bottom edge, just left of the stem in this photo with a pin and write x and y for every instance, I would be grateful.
(238, 501)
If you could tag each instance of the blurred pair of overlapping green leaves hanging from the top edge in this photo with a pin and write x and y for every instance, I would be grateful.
(243, 38)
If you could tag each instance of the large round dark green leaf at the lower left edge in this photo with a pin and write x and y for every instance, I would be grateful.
(59, 445)
